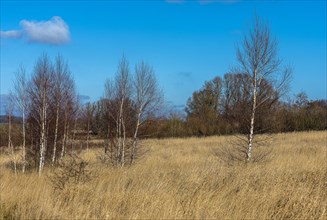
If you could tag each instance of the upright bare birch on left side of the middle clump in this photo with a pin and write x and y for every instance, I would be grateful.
(118, 102)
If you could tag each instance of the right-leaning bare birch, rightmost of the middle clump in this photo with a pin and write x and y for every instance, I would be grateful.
(147, 97)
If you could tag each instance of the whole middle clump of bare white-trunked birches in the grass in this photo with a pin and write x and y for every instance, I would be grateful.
(128, 103)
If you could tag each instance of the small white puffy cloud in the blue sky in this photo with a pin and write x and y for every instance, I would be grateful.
(53, 31)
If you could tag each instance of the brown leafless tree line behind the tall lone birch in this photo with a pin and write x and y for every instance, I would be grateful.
(222, 112)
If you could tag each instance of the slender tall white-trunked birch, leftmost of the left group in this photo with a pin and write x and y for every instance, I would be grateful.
(20, 99)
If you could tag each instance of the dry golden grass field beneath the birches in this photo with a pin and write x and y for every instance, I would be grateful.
(182, 179)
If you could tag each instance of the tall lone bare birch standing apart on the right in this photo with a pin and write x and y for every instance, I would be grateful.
(257, 57)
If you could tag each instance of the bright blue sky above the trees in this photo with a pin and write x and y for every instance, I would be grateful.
(187, 42)
